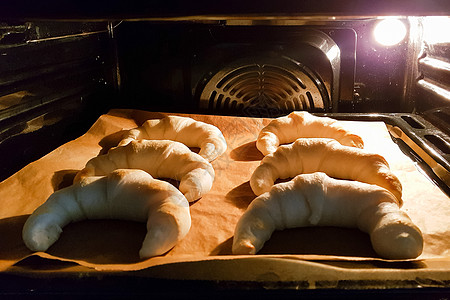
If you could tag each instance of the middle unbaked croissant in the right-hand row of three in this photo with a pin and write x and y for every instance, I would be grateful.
(309, 155)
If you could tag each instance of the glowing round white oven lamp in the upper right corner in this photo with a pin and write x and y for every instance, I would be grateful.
(389, 31)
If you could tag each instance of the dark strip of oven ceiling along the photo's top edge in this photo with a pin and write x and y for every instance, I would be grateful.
(122, 9)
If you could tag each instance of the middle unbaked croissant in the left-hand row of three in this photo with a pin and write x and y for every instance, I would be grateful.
(161, 159)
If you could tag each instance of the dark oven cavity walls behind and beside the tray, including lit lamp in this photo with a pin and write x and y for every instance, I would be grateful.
(58, 76)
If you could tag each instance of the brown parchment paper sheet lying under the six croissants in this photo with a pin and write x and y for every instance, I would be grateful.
(114, 244)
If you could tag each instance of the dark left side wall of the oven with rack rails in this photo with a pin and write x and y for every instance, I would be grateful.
(55, 79)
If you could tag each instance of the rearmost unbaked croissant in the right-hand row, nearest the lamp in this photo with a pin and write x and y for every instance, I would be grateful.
(301, 124)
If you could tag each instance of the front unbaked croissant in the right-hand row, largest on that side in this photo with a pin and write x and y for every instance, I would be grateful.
(318, 200)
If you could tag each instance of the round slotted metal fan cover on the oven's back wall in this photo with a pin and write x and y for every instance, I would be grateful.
(264, 88)
